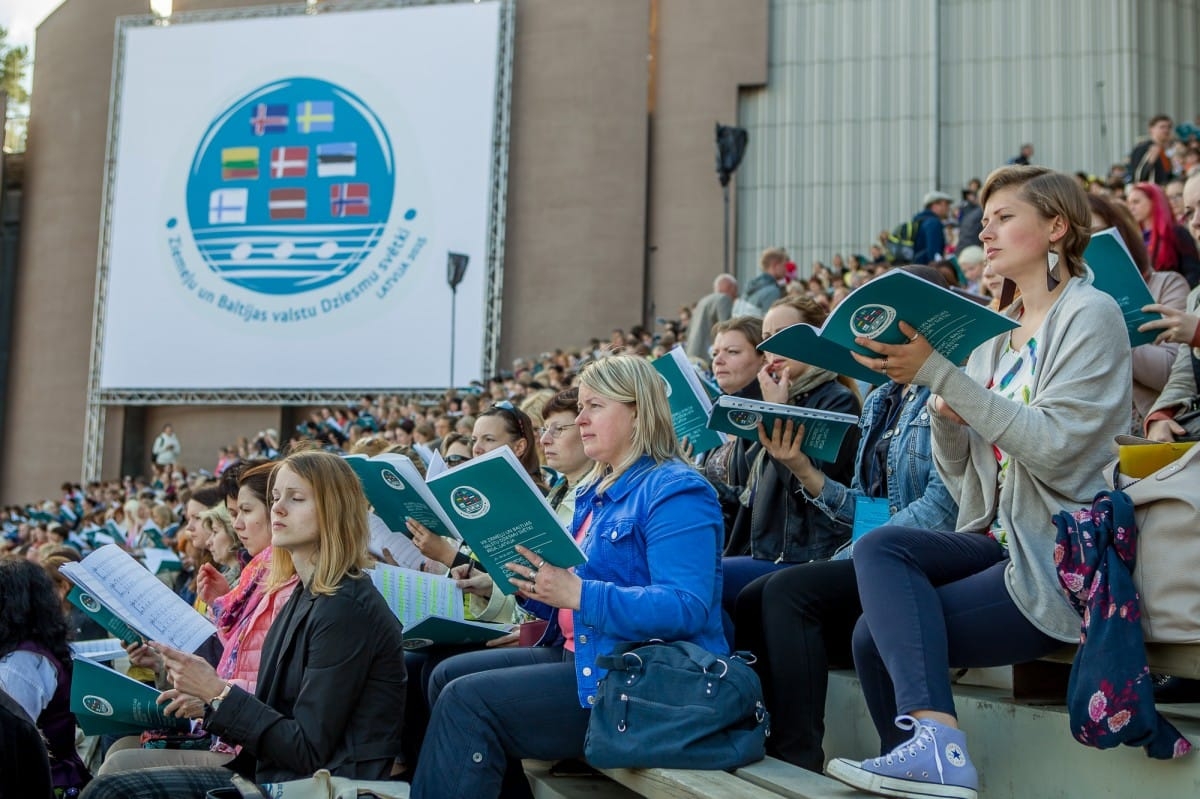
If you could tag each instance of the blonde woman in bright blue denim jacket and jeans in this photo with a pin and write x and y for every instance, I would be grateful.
(652, 531)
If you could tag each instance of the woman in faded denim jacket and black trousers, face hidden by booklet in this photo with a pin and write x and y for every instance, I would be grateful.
(799, 621)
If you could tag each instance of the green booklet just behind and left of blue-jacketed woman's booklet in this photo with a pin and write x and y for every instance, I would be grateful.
(397, 491)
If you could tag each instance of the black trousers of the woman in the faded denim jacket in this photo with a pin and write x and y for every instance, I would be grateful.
(799, 622)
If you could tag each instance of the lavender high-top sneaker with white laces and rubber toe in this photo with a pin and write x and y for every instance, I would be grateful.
(933, 764)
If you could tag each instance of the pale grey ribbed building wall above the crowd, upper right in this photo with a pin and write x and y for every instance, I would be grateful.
(871, 104)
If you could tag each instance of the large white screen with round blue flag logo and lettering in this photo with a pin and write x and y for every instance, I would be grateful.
(285, 194)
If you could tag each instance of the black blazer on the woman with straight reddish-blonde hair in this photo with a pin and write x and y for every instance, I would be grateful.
(331, 689)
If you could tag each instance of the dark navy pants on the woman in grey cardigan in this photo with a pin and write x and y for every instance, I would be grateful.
(933, 602)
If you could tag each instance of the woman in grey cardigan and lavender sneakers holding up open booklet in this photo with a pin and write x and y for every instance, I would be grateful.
(1023, 434)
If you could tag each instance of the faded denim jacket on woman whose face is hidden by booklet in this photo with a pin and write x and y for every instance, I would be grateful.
(917, 497)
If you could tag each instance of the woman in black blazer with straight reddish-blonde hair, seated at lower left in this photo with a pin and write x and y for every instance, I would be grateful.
(332, 687)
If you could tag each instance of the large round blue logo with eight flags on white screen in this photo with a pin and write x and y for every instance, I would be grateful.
(291, 188)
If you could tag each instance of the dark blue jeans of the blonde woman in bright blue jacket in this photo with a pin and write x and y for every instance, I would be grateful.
(491, 710)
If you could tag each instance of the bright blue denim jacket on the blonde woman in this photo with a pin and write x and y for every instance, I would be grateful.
(653, 570)
